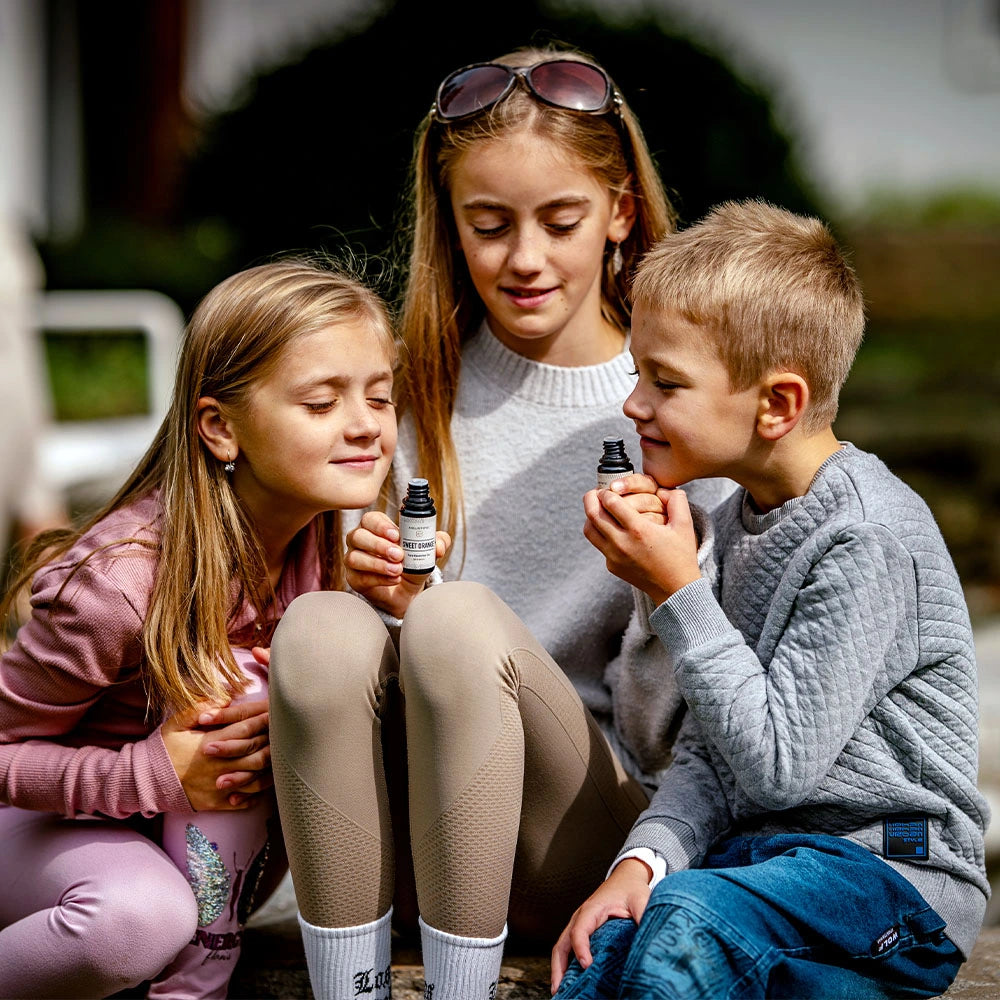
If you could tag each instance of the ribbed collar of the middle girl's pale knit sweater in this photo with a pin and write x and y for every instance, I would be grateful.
(544, 384)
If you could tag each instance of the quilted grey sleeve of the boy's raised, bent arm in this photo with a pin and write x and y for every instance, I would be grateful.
(780, 727)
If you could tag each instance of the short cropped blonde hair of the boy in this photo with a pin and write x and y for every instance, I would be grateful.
(773, 290)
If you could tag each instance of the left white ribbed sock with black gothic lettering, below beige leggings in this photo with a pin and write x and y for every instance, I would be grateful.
(346, 962)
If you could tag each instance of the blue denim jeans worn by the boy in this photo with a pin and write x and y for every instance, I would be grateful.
(788, 916)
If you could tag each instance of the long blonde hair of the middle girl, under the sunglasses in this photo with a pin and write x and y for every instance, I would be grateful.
(440, 306)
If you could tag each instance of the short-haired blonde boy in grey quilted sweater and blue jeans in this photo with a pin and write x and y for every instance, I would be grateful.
(819, 828)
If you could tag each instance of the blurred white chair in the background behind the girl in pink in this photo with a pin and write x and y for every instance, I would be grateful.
(91, 458)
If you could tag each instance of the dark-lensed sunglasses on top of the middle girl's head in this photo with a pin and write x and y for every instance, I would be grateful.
(563, 83)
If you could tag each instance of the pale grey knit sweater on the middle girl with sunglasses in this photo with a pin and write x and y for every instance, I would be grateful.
(528, 437)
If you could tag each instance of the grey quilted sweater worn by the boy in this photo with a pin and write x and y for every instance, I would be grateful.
(831, 681)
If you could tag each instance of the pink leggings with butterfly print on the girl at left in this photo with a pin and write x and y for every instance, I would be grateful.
(91, 907)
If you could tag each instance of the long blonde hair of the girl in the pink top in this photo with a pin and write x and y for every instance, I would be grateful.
(208, 546)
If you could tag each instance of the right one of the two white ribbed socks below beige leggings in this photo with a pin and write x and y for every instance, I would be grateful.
(460, 968)
